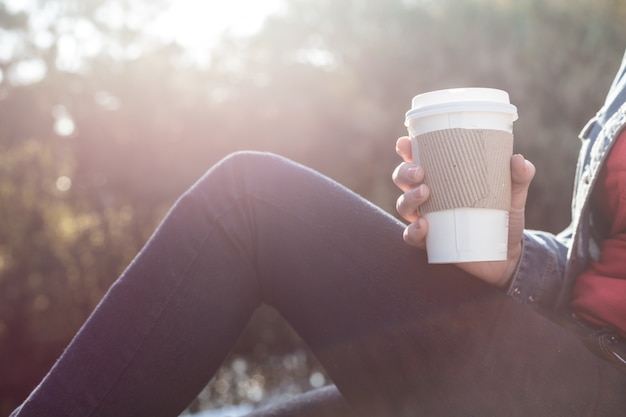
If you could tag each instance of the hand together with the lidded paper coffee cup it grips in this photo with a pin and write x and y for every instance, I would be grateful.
(462, 185)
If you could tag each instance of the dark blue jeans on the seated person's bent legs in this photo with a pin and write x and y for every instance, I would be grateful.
(399, 337)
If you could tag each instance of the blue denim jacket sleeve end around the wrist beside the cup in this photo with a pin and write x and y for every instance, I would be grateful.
(539, 275)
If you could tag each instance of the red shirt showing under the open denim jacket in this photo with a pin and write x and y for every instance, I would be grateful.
(599, 293)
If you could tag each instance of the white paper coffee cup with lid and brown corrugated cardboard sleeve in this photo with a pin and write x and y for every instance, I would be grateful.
(464, 140)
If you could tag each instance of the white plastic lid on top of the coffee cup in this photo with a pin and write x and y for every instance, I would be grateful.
(461, 100)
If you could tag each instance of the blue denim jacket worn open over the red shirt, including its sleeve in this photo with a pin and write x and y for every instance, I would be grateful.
(550, 264)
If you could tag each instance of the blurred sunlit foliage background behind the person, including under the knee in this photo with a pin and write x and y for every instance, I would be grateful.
(104, 122)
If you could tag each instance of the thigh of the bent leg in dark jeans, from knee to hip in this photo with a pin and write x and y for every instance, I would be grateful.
(401, 337)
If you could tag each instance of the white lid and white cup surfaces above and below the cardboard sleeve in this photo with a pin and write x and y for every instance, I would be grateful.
(463, 234)
